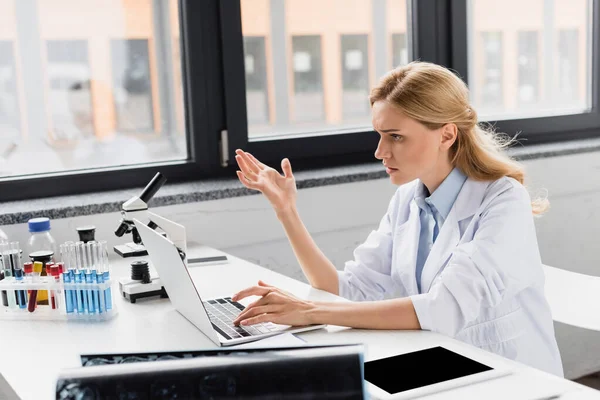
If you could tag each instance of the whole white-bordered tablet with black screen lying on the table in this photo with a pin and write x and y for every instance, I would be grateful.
(424, 372)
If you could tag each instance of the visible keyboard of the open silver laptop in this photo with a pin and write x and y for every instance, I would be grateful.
(222, 313)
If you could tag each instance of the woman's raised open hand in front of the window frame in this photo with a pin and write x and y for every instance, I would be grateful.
(279, 190)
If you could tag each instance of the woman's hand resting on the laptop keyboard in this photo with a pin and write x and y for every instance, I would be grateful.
(275, 306)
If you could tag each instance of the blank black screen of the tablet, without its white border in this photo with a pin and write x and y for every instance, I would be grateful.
(420, 368)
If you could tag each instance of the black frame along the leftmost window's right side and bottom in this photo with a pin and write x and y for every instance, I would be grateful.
(204, 119)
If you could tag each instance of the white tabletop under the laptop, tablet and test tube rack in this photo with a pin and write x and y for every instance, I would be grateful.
(40, 349)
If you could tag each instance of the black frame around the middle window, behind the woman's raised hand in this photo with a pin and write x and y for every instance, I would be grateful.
(309, 150)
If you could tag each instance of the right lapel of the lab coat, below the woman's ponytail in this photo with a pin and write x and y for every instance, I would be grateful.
(468, 201)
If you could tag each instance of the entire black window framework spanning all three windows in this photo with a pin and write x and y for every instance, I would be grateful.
(214, 89)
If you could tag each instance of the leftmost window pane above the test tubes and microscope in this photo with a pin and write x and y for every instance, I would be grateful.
(97, 85)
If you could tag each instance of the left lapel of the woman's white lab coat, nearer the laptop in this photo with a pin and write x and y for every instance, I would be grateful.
(406, 242)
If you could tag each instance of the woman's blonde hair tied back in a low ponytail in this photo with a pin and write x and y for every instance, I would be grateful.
(434, 96)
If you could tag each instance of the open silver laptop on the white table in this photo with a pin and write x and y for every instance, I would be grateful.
(213, 317)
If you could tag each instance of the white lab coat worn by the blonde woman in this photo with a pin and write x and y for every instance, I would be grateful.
(483, 281)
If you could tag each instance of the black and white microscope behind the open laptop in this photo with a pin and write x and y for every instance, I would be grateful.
(142, 284)
